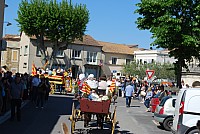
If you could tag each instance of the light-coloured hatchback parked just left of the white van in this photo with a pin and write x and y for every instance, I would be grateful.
(164, 112)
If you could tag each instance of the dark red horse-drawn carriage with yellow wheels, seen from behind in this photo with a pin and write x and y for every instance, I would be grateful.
(86, 108)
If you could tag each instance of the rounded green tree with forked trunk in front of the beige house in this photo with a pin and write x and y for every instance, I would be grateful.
(61, 23)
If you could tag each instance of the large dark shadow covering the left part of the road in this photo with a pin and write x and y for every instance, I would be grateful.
(37, 120)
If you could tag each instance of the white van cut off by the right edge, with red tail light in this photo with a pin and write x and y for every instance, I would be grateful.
(187, 111)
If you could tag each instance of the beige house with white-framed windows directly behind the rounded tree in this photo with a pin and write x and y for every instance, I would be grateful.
(81, 56)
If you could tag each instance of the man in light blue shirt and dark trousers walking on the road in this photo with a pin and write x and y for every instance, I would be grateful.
(129, 92)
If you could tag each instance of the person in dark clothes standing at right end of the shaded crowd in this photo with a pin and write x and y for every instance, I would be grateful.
(42, 87)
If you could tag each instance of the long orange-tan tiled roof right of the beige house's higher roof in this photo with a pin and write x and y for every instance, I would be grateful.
(117, 48)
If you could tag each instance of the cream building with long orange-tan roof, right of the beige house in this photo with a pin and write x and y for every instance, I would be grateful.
(115, 56)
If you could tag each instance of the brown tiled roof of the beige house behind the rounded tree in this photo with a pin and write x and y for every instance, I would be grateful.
(87, 40)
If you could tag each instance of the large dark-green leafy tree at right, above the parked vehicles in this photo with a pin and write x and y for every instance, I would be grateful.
(175, 26)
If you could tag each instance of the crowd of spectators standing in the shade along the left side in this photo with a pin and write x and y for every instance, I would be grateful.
(14, 89)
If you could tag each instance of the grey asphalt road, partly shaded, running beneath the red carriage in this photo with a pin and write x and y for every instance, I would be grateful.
(133, 120)
